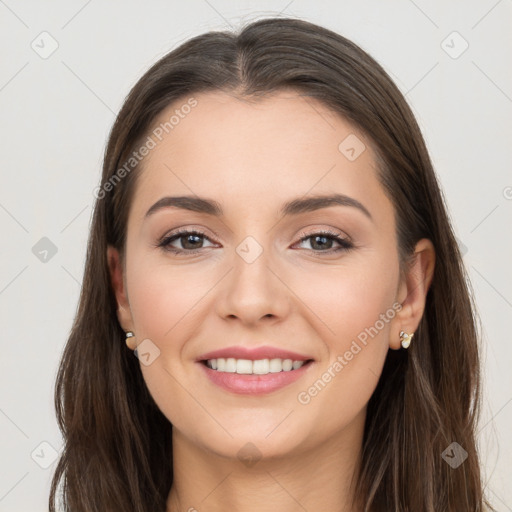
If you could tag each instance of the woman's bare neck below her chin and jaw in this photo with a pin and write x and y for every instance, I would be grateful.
(318, 479)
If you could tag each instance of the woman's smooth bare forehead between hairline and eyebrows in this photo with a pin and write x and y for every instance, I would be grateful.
(249, 151)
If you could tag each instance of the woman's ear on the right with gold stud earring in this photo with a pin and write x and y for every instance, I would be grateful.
(412, 291)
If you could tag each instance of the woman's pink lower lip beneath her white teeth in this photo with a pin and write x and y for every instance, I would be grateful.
(254, 384)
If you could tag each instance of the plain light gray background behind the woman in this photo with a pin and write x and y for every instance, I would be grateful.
(56, 113)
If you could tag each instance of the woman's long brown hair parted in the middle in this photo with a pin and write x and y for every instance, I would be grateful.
(118, 451)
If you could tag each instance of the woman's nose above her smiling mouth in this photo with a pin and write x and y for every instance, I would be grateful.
(253, 291)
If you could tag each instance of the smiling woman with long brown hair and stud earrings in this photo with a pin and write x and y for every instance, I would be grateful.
(270, 240)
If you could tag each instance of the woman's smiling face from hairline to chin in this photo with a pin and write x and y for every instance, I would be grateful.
(258, 278)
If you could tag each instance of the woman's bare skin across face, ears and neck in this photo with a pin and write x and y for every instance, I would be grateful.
(252, 157)
